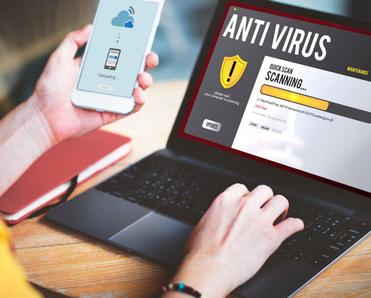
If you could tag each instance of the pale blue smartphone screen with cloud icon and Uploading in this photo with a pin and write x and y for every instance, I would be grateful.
(117, 47)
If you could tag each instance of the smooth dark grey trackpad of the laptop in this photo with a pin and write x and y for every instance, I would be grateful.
(156, 237)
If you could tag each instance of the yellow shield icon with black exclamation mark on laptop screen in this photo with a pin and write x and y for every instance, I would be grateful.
(232, 70)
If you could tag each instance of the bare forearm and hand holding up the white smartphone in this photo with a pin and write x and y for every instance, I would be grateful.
(48, 116)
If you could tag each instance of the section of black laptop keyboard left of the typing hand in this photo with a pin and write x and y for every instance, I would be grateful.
(171, 187)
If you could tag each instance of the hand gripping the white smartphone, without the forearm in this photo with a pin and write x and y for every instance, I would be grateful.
(52, 96)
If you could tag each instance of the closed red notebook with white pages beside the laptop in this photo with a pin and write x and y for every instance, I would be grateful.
(50, 176)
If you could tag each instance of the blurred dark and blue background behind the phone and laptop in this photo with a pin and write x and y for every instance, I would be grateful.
(30, 30)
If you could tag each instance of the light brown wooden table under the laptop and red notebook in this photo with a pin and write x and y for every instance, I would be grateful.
(75, 265)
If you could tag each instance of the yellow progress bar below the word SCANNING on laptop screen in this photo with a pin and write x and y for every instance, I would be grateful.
(304, 100)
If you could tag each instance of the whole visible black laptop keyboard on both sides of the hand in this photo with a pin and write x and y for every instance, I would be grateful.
(185, 192)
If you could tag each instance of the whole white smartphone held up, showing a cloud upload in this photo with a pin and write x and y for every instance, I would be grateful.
(122, 36)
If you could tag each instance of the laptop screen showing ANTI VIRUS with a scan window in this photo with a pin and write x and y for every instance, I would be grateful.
(290, 91)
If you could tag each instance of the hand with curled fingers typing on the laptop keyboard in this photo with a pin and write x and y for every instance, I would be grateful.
(234, 239)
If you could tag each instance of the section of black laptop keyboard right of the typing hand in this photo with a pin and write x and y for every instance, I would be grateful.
(326, 236)
